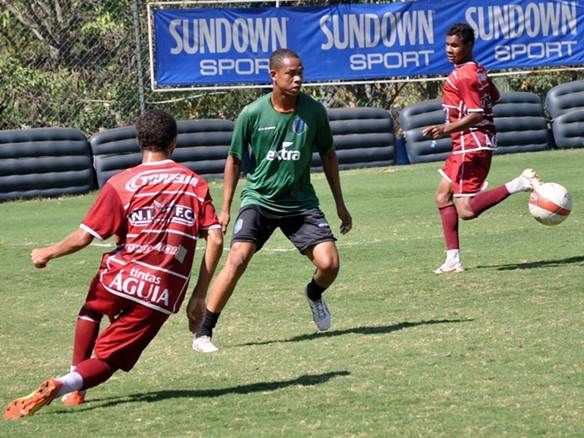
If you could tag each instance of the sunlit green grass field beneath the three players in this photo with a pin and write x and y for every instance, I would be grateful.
(496, 350)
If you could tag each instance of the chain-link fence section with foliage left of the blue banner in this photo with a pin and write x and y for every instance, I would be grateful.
(68, 63)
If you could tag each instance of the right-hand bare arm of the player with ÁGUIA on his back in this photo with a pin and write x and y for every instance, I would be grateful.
(213, 251)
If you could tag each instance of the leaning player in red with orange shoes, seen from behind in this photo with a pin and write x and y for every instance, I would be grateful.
(157, 211)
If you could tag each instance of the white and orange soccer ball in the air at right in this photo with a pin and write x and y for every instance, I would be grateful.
(550, 203)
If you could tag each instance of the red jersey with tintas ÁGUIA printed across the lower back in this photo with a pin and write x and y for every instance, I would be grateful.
(156, 211)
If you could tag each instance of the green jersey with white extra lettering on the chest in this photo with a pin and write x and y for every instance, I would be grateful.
(281, 148)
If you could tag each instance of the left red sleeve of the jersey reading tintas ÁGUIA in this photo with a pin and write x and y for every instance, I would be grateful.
(106, 216)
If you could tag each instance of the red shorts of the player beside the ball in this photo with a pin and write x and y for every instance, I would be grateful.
(467, 172)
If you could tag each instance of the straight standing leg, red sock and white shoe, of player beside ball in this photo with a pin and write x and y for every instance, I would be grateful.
(449, 220)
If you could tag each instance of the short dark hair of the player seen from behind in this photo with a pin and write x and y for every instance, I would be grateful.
(156, 130)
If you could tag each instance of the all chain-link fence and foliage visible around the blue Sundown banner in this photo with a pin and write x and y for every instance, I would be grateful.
(85, 64)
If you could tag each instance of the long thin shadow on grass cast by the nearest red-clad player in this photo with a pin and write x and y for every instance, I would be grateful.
(149, 397)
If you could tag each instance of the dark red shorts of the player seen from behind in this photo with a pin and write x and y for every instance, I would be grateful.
(132, 328)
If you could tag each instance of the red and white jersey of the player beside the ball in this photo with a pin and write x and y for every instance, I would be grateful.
(468, 89)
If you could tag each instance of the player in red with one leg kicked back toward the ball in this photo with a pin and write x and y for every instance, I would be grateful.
(468, 99)
